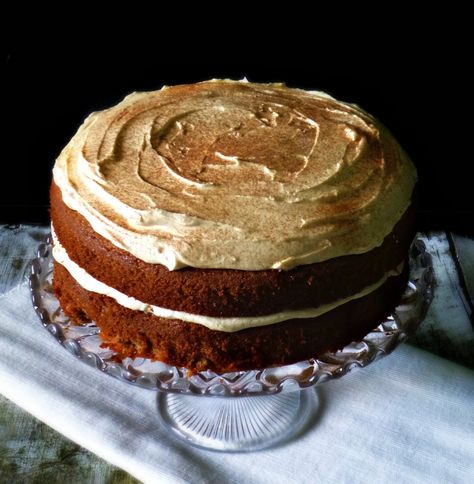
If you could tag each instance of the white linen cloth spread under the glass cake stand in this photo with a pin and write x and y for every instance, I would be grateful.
(406, 418)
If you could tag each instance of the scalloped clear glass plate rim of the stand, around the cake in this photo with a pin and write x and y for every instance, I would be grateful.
(83, 341)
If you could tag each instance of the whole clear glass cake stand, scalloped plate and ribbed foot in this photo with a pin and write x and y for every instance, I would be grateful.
(244, 410)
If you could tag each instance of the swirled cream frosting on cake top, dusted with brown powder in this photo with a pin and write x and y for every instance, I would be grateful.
(238, 175)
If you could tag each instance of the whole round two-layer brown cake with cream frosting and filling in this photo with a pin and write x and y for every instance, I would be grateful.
(229, 225)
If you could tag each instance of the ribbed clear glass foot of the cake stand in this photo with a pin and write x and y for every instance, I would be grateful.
(237, 424)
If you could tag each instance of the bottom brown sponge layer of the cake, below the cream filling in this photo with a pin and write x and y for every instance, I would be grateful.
(140, 334)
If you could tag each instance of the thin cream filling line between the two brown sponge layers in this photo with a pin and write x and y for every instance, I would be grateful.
(232, 324)
